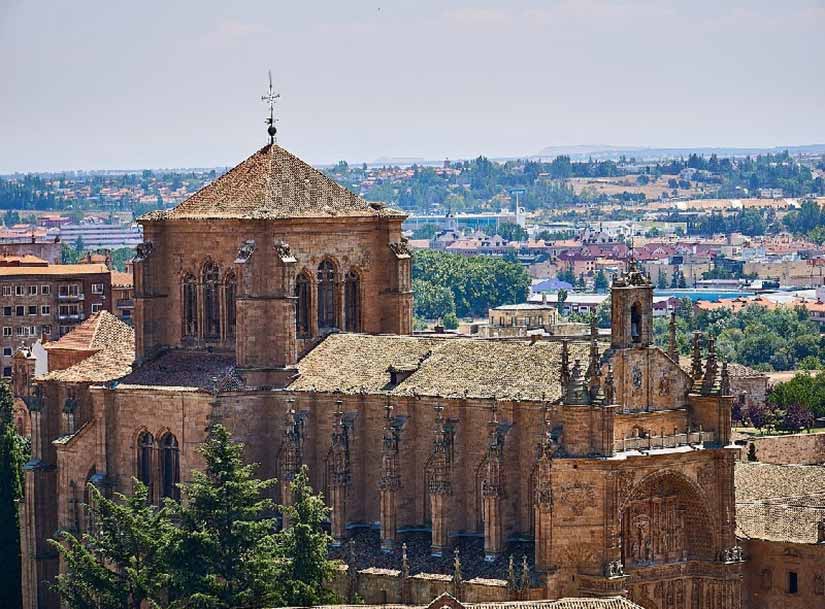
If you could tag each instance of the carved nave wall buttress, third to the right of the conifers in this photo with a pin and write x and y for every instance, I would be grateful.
(440, 486)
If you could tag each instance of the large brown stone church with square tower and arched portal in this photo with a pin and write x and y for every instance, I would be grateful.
(279, 304)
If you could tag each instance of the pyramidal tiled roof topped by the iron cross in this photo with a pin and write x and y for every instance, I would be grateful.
(272, 184)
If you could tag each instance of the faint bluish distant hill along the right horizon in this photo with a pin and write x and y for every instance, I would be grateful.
(606, 152)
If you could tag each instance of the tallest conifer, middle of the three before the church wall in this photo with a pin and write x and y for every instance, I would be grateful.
(223, 553)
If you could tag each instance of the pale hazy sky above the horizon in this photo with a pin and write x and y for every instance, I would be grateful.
(114, 84)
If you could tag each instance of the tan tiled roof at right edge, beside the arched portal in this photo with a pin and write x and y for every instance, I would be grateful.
(779, 502)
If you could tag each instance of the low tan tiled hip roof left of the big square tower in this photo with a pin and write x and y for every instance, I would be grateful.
(111, 342)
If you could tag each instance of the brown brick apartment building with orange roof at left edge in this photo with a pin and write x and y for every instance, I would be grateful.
(44, 301)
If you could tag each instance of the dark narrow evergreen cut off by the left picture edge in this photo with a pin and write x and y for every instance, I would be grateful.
(11, 462)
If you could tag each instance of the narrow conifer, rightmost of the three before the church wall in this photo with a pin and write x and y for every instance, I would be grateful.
(302, 548)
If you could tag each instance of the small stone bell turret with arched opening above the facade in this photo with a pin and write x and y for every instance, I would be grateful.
(631, 299)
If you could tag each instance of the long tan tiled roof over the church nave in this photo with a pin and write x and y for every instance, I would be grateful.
(449, 368)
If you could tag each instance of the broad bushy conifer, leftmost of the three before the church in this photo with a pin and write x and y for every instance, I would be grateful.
(121, 562)
